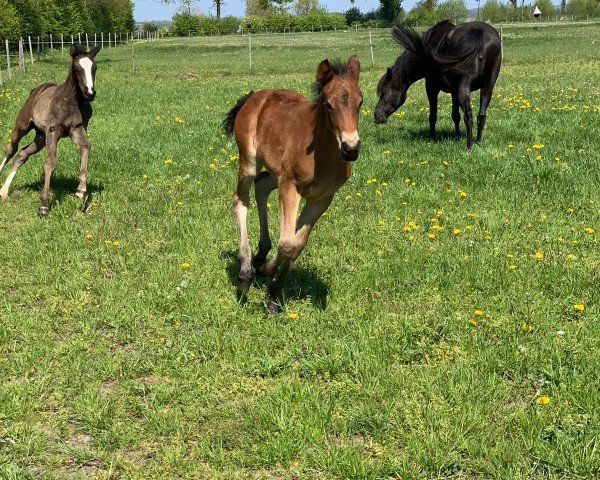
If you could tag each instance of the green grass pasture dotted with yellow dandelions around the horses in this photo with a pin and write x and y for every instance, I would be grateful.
(443, 321)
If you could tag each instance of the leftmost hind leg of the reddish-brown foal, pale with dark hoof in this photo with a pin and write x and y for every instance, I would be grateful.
(241, 200)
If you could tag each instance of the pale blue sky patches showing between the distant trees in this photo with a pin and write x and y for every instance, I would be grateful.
(147, 10)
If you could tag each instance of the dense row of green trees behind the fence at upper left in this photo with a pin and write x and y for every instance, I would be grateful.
(67, 17)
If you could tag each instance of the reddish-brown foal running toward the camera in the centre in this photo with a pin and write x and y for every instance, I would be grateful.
(306, 148)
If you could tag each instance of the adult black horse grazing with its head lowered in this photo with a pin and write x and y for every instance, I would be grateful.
(454, 59)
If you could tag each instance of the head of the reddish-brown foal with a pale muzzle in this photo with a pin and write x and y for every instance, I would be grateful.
(340, 95)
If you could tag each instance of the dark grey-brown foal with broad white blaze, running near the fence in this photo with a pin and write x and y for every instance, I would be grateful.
(55, 112)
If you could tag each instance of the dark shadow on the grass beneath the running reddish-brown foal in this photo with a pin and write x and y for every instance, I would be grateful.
(301, 283)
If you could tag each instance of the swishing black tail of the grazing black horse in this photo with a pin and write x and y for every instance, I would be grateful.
(461, 55)
